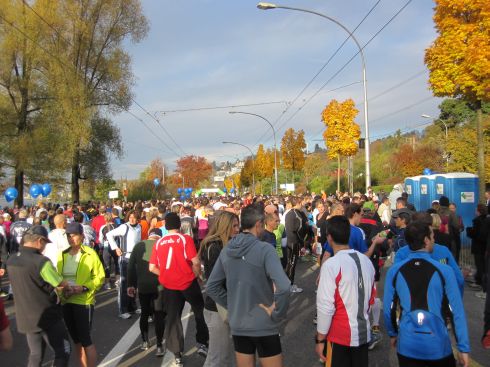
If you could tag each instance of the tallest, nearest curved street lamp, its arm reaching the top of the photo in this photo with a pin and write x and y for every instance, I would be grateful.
(267, 6)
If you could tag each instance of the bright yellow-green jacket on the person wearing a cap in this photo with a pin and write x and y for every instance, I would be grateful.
(90, 274)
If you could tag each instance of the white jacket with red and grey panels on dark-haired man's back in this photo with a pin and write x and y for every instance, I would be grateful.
(345, 293)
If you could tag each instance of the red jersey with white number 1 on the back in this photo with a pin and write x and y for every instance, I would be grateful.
(172, 254)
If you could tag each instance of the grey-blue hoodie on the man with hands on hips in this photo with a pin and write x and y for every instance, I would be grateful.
(243, 278)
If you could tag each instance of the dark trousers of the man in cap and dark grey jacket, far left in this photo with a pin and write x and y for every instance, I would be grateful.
(57, 339)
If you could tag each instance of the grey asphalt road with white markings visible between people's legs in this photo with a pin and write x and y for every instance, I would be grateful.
(117, 341)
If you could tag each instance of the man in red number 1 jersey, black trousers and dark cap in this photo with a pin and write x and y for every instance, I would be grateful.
(175, 261)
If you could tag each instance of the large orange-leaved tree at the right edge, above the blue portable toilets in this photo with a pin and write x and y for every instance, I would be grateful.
(459, 62)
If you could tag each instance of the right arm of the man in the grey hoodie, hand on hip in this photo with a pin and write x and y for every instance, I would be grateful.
(281, 282)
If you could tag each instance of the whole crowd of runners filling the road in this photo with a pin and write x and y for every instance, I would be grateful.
(243, 252)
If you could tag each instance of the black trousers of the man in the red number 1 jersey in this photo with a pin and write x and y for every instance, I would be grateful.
(174, 301)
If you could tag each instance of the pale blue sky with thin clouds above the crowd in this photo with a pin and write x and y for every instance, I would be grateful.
(214, 53)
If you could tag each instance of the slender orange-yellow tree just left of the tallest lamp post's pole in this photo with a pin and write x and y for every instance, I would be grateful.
(342, 133)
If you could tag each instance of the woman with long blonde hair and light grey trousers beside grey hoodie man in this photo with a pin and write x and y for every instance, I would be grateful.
(225, 226)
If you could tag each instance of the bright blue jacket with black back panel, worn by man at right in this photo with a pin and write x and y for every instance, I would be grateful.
(419, 288)
